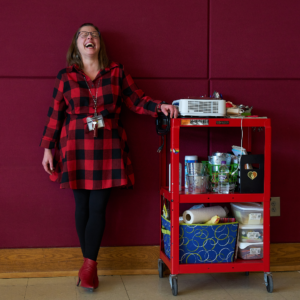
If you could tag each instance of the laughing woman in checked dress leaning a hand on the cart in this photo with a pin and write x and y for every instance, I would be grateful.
(83, 126)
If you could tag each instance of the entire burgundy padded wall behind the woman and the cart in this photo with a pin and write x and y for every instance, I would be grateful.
(246, 50)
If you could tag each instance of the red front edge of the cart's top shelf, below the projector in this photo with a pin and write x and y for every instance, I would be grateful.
(221, 122)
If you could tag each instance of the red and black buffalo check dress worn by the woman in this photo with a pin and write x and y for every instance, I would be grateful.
(80, 160)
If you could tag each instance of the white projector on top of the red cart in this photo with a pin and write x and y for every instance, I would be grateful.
(203, 107)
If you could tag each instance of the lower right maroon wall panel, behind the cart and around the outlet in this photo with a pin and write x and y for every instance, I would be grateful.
(270, 98)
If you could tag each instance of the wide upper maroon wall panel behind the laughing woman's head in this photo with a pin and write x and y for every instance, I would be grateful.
(153, 38)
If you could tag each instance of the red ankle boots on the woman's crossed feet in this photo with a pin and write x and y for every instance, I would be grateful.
(87, 275)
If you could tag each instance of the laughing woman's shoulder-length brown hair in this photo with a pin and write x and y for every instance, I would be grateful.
(73, 54)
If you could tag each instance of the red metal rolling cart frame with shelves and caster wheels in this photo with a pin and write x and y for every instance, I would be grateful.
(175, 197)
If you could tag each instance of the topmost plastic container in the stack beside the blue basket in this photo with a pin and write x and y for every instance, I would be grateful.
(248, 213)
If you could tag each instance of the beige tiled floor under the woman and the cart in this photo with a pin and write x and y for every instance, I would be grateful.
(223, 286)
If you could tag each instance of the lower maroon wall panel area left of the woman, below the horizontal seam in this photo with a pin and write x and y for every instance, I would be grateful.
(33, 211)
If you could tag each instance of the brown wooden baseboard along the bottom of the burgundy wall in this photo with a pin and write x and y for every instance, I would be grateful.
(59, 262)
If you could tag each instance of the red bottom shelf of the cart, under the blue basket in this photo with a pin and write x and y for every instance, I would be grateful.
(239, 265)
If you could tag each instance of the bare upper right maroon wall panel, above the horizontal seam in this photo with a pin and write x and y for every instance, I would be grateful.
(254, 39)
